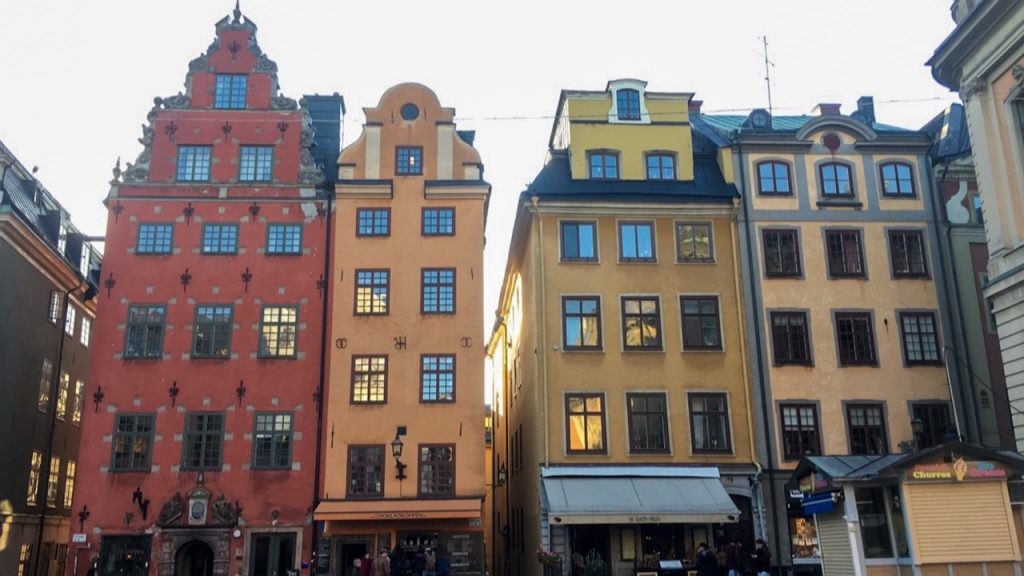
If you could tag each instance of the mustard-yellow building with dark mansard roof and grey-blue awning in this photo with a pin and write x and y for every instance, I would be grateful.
(622, 409)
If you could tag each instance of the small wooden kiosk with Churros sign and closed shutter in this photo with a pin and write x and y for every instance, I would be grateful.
(946, 511)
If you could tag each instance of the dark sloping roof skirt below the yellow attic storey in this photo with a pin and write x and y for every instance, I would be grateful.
(556, 183)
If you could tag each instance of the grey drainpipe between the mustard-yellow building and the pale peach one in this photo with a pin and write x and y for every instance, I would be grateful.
(759, 355)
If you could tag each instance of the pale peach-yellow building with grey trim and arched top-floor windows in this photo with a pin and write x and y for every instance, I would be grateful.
(847, 308)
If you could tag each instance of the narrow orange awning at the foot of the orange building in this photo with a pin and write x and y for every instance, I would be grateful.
(398, 510)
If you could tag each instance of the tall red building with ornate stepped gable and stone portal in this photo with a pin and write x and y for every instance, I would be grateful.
(199, 455)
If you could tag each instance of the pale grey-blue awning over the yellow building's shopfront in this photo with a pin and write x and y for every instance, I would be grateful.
(638, 500)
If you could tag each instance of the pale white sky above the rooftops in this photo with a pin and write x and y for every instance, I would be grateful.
(80, 77)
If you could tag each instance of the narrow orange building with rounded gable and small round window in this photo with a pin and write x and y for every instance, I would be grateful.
(405, 427)
